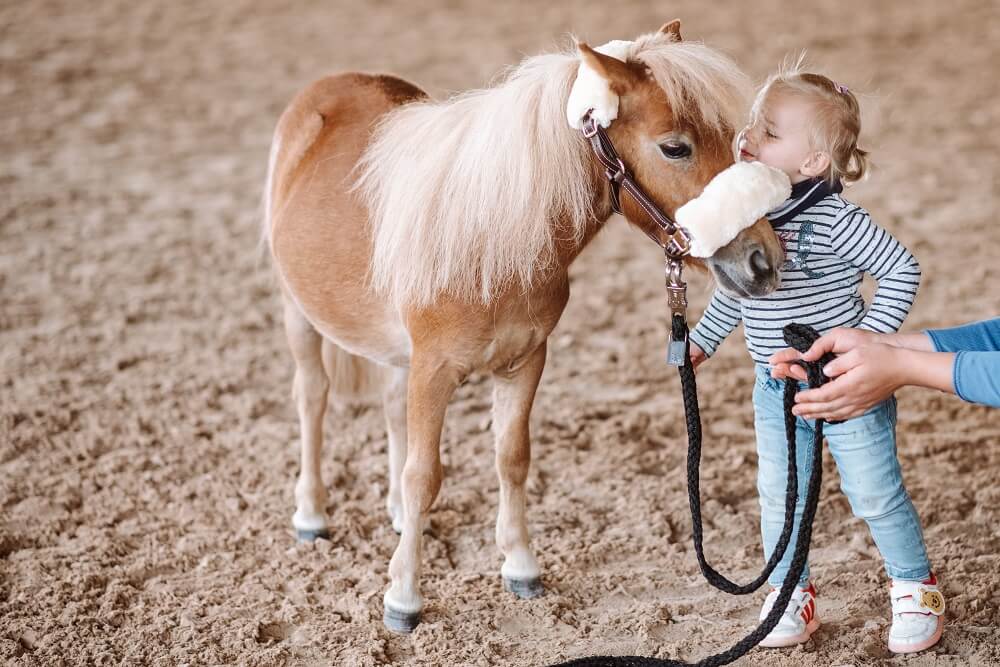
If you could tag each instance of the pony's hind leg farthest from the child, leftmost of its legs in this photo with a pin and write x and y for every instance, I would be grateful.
(309, 390)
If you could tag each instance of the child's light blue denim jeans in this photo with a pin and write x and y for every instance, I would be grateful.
(864, 449)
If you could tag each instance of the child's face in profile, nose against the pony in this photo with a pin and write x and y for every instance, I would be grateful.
(780, 138)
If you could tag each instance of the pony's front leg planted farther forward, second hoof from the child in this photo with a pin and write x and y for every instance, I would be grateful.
(431, 384)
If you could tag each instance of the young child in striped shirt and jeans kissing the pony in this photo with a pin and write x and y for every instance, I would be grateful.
(808, 126)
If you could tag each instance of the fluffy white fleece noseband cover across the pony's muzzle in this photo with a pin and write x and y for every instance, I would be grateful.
(732, 201)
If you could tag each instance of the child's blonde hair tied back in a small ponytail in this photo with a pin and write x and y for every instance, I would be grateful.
(836, 124)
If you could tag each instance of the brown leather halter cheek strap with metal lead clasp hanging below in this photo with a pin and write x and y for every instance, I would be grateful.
(675, 248)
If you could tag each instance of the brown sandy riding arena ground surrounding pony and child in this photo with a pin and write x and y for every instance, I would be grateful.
(148, 446)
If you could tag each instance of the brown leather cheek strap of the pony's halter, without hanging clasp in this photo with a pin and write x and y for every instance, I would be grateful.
(678, 241)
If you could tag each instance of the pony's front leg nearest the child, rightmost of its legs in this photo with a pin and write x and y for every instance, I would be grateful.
(513, 394)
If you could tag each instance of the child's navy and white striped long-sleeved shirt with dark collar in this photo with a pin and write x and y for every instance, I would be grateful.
(830, 244)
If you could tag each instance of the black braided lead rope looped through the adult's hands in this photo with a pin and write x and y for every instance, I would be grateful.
(801, 338)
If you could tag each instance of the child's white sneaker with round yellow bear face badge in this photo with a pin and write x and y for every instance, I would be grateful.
(917, 615)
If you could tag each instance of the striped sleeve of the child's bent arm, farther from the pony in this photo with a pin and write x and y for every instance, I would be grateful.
(865, 245)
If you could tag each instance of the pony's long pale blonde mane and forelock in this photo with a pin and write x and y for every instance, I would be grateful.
(466, 196)
